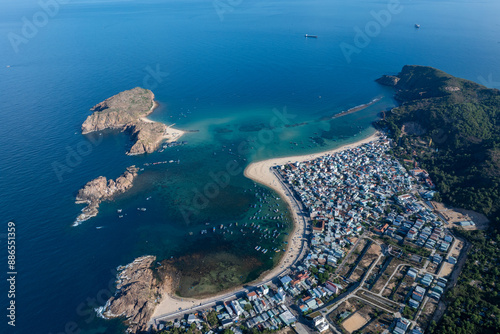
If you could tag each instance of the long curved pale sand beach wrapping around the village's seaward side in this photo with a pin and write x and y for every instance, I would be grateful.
(260, 172)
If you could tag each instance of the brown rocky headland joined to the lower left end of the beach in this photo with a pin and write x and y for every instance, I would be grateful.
(139, 289)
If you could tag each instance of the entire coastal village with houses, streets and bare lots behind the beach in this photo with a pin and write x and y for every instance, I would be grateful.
(377, 255)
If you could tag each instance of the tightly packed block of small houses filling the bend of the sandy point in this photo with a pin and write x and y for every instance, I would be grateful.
(342, 192)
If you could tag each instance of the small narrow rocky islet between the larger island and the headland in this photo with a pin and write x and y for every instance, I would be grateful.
(101, 189)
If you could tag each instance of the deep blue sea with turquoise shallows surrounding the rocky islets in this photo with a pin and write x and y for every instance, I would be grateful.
(236, 73)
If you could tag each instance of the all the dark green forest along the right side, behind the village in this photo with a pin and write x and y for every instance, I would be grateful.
(451, 128)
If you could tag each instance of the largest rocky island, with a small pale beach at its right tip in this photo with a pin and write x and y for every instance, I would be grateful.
(127, 111)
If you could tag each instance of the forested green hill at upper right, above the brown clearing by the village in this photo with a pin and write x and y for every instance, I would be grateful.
(452, 127)
